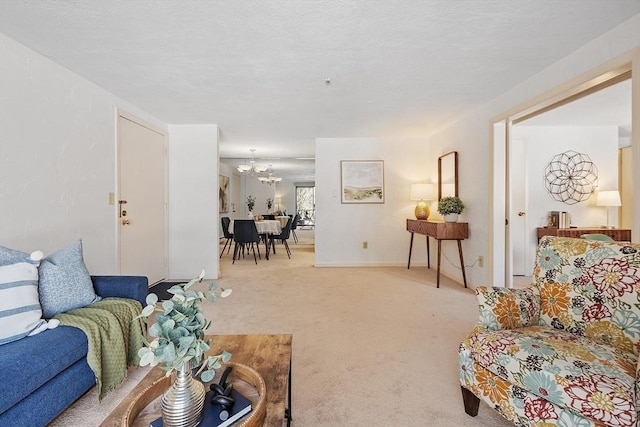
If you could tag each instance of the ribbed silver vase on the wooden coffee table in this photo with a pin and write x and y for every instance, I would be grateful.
(182, 403)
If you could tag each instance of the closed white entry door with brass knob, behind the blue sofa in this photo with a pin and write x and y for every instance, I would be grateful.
(141, 199)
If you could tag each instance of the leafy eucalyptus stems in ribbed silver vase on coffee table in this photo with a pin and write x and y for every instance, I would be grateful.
(178, 344)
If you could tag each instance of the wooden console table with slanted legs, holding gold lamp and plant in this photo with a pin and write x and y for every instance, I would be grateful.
(440, 231)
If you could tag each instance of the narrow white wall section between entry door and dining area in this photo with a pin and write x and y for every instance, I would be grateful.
(193, 201)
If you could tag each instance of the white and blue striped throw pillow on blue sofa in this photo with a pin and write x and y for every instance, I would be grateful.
(20, 311)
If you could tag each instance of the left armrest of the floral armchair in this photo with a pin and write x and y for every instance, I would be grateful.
(502, 308)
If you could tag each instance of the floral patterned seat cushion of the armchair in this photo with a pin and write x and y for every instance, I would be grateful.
(568, 370)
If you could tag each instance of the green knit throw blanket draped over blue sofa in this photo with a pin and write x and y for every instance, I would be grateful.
(114, 334)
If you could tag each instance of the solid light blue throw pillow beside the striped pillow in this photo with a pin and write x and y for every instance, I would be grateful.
(64, 283)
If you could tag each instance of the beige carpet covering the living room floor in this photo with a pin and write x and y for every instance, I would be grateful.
(371, 346)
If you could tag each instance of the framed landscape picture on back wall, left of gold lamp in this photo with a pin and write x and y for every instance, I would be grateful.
(362, 181)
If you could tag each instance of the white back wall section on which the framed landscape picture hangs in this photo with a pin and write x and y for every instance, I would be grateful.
(341, 228)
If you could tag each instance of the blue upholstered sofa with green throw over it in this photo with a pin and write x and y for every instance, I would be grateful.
(43, 374)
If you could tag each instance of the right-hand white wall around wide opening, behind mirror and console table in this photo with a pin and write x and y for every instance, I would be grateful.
(470, 135)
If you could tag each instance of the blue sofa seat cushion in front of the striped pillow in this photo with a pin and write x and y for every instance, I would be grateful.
(29, 363)
